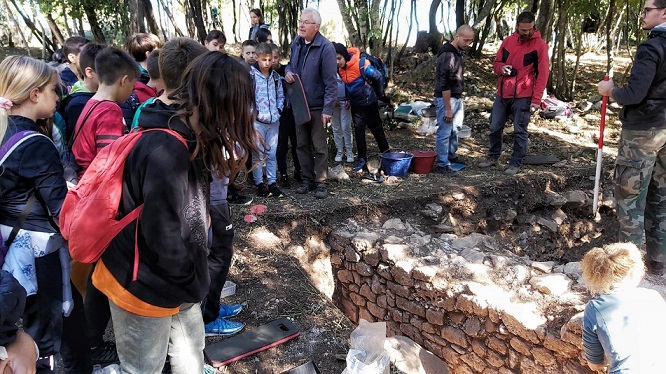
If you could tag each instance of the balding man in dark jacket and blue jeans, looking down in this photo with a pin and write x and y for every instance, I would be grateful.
(449, 85)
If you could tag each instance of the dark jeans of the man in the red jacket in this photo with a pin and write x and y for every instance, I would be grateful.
(520, 108)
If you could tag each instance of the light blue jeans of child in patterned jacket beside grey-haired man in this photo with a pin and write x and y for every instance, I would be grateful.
(266, 155)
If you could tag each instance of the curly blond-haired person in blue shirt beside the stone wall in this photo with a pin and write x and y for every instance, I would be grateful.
(623, 323)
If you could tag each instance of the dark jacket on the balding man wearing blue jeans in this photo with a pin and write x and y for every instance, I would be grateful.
(449, 71)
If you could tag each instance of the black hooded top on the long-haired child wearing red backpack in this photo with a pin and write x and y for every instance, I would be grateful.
(173, 267)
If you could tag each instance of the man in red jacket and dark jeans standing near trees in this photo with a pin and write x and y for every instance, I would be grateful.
(522, 66)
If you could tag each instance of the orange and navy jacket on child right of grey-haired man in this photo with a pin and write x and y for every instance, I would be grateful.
(356, 78)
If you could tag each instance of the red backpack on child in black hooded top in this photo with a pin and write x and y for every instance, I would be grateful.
(88, 219)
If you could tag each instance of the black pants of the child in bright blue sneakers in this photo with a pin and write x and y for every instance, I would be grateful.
(219, 259)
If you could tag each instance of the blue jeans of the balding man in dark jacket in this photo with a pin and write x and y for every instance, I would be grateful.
(446, 140)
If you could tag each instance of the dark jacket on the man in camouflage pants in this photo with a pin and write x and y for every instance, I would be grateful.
(644, 96)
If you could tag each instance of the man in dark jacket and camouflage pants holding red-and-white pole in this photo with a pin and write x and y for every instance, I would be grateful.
(640, 167)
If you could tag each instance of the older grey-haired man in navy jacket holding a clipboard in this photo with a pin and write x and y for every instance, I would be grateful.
(313, 59)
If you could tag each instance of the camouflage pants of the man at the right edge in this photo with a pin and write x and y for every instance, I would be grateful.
(640, 190)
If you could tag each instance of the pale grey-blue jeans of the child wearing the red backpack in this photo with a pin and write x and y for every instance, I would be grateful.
(143, 342)
